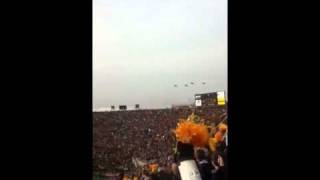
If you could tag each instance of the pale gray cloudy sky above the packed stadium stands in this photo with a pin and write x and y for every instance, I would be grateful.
(141, 48)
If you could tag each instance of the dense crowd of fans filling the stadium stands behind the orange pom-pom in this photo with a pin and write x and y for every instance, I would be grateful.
(123, 138)
